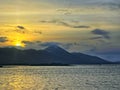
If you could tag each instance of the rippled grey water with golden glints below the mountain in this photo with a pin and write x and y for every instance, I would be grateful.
(82, 77)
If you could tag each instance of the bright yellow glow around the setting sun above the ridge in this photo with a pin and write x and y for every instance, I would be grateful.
(17, 39)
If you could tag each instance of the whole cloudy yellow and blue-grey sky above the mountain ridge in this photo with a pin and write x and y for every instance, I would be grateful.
(87, 26)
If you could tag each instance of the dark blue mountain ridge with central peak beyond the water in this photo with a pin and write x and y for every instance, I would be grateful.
(51, 55)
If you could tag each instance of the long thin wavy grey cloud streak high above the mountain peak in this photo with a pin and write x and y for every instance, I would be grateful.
(65, 24)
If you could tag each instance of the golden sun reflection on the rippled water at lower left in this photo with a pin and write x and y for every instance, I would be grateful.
(20, 81)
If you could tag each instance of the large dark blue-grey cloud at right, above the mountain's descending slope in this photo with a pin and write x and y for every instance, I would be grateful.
(103, 33)
